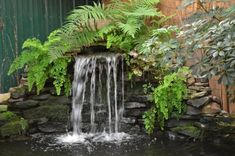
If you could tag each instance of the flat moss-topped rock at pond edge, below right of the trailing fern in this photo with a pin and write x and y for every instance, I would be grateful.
(187, 130)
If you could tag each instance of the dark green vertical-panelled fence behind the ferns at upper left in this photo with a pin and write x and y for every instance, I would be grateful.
(22, 19)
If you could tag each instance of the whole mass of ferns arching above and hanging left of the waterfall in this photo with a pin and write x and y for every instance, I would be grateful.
(119, 25)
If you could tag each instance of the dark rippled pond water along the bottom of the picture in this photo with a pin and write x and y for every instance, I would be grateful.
(131, 146)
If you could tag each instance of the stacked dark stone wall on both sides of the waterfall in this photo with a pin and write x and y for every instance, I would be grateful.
(48, 113)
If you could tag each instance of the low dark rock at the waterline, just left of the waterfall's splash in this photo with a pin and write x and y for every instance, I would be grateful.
(52, 127)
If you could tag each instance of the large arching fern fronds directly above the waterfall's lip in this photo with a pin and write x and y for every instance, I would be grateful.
(119, 25)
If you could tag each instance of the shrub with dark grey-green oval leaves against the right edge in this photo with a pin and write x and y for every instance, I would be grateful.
(215, 40)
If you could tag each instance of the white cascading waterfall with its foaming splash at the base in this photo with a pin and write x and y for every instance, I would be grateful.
(98, 86)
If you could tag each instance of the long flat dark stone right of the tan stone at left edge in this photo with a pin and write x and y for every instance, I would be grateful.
(23, 105)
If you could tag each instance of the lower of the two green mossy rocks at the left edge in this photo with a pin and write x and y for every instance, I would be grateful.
(14, 128)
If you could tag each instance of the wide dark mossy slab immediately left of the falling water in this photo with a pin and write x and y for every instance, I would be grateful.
(51, 112)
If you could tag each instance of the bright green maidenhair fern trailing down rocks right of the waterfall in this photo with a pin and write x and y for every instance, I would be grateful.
(168, 98)
